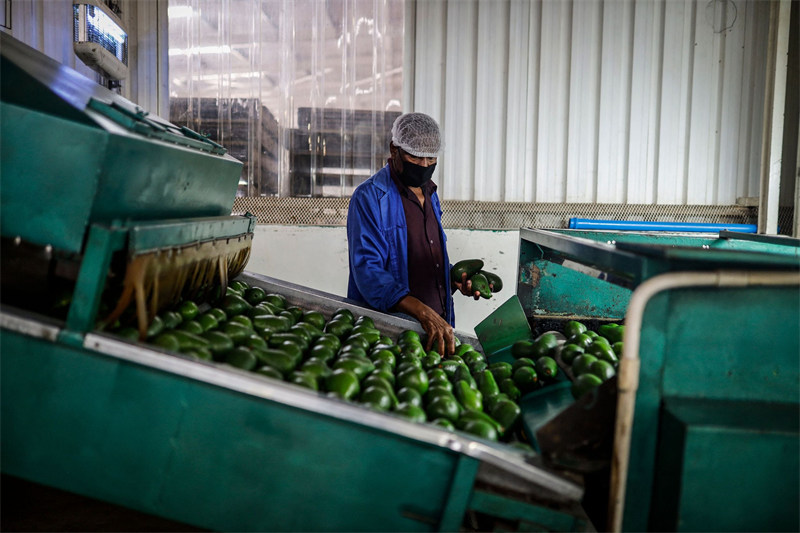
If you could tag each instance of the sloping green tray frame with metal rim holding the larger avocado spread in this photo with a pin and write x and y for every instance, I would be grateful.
(223, 449)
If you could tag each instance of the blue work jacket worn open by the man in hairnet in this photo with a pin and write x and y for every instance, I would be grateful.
(378, 244)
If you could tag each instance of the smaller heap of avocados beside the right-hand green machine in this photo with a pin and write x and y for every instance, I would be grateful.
(590, 357)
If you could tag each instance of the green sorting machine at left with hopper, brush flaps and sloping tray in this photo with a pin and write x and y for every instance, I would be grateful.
(99, 196)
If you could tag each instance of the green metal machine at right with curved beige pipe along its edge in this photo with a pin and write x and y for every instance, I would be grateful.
(699, 429)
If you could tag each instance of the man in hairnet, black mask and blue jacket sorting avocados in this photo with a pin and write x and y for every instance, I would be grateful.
(397, 247)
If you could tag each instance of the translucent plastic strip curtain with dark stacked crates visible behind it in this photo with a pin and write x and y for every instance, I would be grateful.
(303, 92)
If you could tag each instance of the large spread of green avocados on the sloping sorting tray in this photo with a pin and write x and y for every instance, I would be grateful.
(349, 358)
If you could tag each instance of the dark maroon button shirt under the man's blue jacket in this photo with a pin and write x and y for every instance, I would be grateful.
(426, 266)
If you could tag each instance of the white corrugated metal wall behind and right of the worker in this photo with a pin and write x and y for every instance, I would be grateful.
(607, 101)
